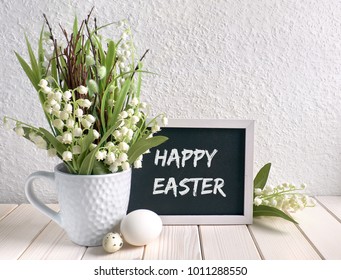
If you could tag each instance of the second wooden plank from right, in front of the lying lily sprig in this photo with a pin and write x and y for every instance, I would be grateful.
(322, 229)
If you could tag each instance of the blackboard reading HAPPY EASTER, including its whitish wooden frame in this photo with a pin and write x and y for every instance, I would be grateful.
(201, 175)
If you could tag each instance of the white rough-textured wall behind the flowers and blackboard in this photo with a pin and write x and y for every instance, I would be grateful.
(277, 62)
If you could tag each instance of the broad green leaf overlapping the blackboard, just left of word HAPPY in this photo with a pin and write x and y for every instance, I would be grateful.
(142, 145)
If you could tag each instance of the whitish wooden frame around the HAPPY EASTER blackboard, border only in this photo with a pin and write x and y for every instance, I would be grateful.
(247, 216)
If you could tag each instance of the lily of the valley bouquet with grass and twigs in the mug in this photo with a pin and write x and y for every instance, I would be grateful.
(89, 89)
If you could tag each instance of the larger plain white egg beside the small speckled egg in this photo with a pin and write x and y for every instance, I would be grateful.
(141, 227)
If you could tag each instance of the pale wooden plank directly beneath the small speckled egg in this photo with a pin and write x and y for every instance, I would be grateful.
(127, 252)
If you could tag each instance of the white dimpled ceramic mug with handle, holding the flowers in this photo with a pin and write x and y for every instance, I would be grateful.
(90, 205)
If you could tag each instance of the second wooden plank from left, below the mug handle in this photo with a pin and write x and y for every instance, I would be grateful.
(19, 229)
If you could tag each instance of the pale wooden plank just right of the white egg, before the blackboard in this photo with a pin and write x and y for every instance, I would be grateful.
(175, 243)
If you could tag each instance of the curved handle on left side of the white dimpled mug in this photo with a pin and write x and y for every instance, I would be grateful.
(32, 198)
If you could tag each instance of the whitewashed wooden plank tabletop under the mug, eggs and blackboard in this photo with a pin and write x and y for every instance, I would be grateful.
(27, 234)
